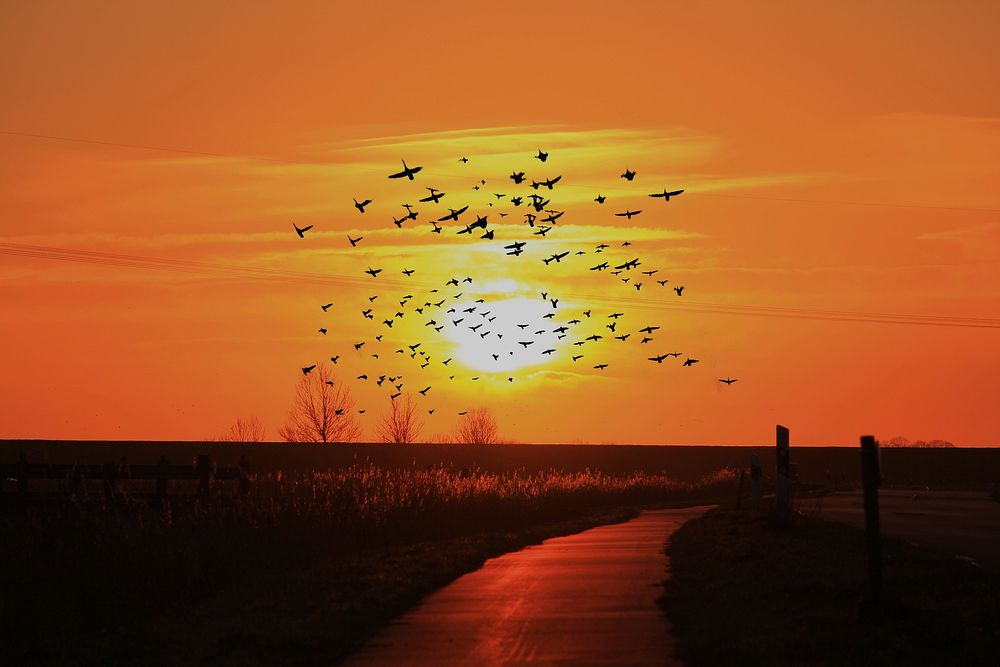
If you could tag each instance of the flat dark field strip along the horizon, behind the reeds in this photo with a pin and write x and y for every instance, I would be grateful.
(952, 469)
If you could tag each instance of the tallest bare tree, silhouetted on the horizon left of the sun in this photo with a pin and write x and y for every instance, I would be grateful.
(322, 410)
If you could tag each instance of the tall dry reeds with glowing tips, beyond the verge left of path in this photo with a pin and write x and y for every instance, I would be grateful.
(82, 569)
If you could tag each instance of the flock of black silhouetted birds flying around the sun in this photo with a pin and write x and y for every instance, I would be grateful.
(441, 309)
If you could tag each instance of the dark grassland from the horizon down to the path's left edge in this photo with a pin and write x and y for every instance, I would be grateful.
(329, 542)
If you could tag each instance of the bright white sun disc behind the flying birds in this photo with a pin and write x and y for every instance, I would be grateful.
(501, 336)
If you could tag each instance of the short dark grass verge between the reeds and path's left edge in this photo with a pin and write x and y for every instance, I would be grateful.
(308, 616)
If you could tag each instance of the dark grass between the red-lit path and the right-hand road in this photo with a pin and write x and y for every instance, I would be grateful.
(747, 592)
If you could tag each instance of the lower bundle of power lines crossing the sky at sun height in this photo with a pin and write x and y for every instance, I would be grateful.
(299, 277)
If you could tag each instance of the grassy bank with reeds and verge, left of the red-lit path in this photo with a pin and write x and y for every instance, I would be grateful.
(301, 571)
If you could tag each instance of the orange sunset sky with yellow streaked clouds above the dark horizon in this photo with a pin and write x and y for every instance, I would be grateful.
(746, 108)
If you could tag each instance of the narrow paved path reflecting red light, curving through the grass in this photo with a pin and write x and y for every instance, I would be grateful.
(584, 599)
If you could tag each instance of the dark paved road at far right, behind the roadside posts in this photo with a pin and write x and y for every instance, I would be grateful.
(965, 525)
